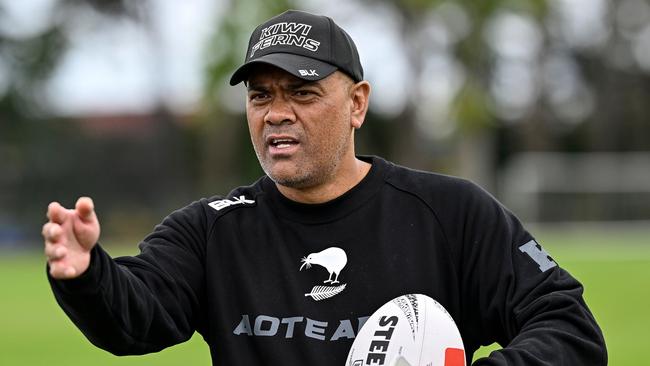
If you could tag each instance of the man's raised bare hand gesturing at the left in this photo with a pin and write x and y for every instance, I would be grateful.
(69, 235)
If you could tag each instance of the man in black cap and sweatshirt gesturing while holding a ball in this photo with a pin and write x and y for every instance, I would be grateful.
(285, 271)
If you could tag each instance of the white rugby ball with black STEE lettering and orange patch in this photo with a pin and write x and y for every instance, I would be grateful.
(410, 330)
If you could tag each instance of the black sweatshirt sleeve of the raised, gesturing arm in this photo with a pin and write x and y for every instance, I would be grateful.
(142, 304)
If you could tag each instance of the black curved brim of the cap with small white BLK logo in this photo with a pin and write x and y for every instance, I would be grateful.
(299, 66)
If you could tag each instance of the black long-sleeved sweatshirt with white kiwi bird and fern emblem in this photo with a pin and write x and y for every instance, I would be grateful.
(268, 281)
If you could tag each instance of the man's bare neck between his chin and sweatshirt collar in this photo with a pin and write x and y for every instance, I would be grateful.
(330, 190)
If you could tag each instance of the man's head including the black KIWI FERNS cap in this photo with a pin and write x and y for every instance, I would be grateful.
(305, 99)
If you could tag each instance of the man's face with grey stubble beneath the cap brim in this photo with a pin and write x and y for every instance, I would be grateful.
(301, 130)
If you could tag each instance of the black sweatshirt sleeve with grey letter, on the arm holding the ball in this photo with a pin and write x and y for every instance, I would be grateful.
(515, 294)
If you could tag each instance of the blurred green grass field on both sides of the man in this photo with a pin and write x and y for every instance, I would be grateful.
(612, 263)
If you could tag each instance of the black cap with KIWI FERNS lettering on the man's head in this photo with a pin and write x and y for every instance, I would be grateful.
(305, 45)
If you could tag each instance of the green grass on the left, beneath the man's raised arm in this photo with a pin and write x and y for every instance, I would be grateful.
(34, 331)
